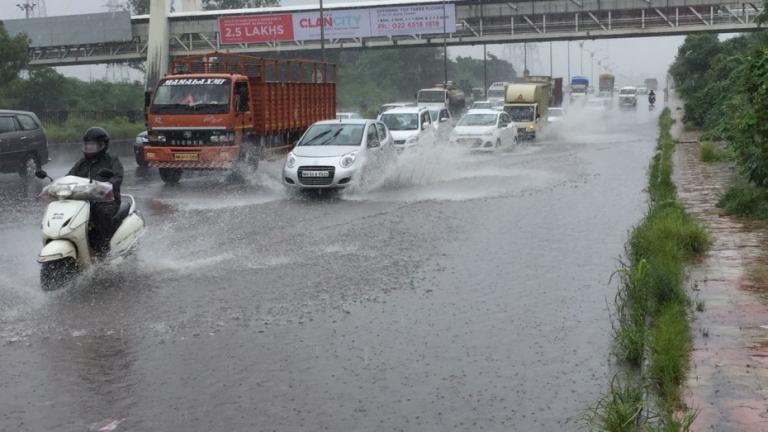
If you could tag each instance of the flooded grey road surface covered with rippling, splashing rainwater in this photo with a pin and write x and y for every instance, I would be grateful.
(461, 292)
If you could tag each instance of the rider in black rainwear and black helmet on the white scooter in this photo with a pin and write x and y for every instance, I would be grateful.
(98, 164)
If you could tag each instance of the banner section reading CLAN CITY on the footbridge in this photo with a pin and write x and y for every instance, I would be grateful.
(352, 23)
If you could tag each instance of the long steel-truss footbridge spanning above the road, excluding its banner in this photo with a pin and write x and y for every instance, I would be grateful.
(126, 38)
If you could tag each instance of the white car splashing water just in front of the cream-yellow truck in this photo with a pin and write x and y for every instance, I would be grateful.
(485, 130)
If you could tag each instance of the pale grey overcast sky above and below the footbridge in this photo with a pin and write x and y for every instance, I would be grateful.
(629, 59)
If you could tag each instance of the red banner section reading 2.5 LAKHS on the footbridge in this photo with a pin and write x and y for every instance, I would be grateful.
(255, 28)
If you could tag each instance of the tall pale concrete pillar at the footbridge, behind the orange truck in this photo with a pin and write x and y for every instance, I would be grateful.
(157, 46)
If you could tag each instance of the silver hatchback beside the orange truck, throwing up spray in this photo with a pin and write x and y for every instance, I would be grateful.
(336, 153)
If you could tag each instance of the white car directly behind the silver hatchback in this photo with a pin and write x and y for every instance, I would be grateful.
(409, 126)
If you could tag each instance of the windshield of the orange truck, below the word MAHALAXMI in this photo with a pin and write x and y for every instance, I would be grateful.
(192, 96)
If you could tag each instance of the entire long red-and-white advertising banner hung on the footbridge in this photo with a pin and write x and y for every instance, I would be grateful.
(339, 24)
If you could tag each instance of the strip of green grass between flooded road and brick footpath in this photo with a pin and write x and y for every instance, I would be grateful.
(651, 325)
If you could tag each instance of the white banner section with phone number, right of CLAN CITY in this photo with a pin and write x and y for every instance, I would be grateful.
(413, 20)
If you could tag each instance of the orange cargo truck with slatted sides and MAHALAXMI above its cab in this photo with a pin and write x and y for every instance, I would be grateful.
(222, 111)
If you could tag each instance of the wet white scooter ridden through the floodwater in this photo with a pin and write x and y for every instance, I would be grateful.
(66, 251)
